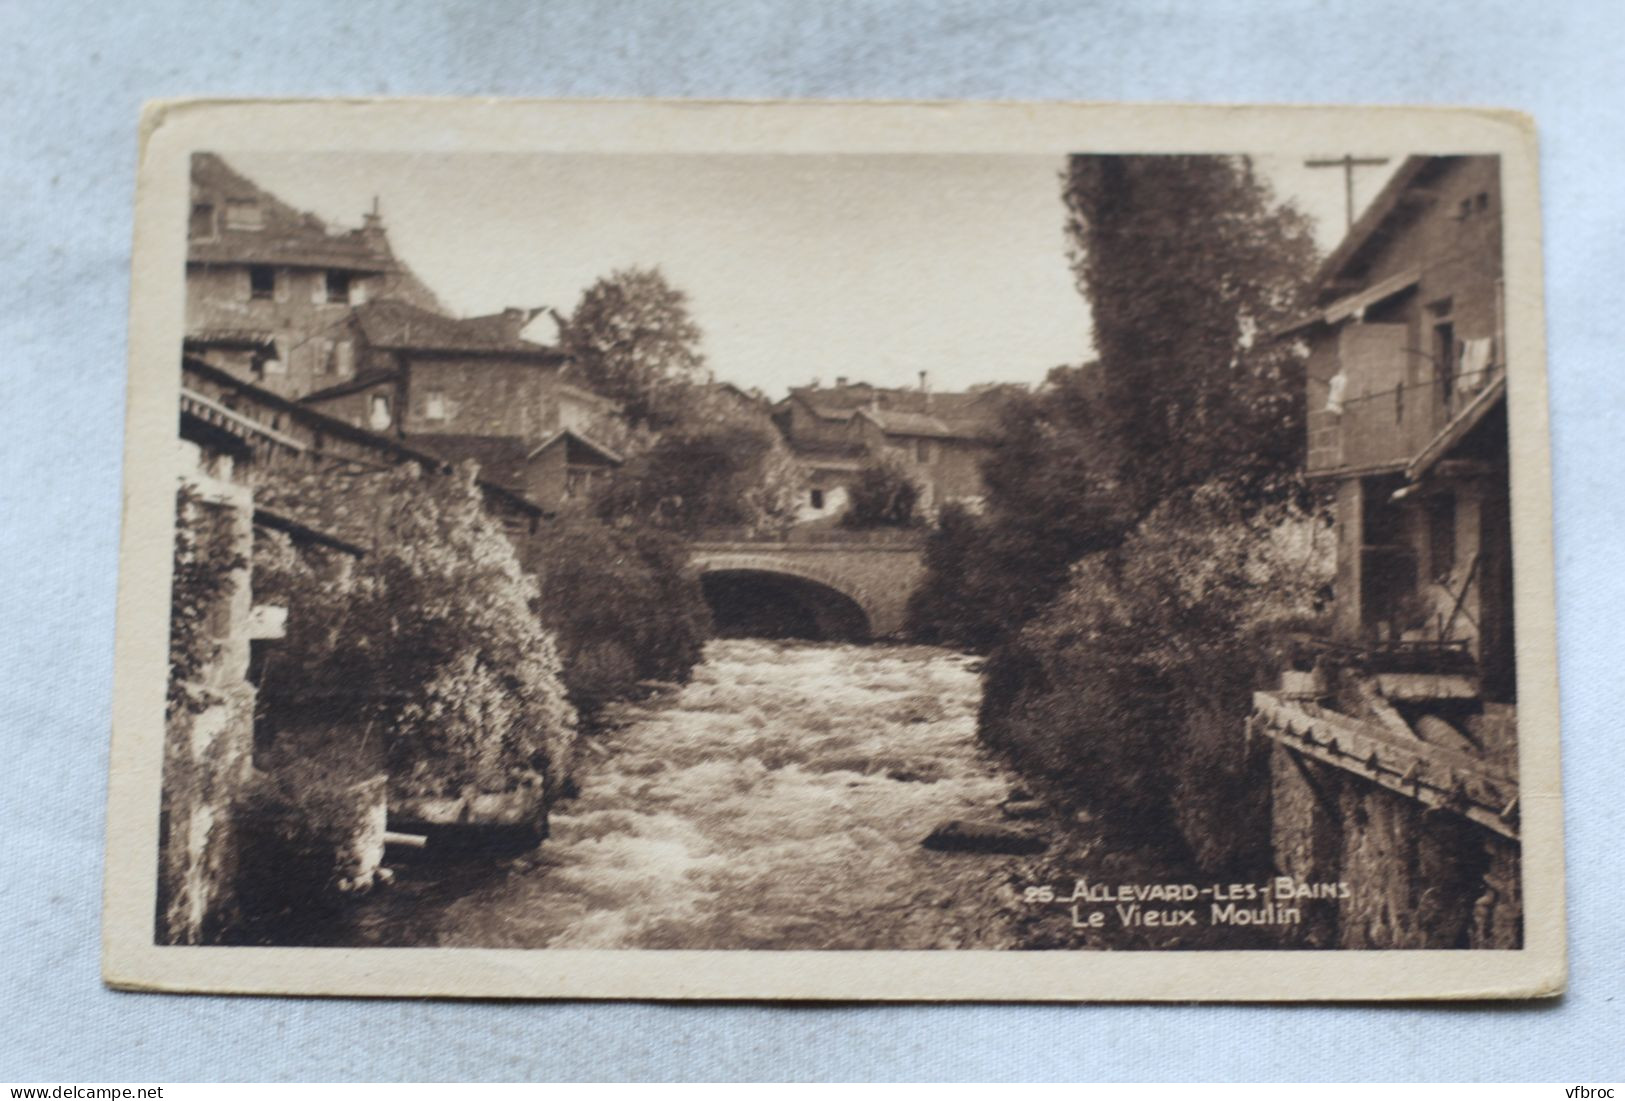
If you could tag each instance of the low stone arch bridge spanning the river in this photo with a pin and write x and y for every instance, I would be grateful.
(849, 587)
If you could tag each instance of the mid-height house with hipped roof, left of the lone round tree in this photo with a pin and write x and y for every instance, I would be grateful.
(477, 391)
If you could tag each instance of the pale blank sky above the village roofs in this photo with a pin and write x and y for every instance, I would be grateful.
(799, 267)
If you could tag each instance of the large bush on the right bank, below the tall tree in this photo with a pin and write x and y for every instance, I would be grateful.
(1132, 688)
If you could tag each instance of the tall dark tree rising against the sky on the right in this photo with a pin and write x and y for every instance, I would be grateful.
(1189, 262)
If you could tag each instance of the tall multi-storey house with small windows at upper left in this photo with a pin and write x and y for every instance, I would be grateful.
(269, 287)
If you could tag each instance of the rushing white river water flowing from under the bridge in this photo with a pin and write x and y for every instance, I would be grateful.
(778, 803)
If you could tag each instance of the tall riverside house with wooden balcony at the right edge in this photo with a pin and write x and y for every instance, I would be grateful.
(1395, 753)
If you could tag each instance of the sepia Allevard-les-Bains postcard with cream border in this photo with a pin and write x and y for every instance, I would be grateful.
(836, 551)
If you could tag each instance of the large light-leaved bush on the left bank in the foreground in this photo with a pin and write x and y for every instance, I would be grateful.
(430, 642)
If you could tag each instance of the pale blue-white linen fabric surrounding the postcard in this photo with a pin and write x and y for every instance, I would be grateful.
(72, 82)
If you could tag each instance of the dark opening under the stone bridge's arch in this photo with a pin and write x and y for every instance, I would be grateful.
(768, 605)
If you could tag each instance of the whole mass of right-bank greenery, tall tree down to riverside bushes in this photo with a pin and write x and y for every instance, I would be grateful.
(1148, 538)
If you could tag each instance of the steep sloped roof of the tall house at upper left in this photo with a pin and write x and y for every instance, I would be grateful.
(287, 236)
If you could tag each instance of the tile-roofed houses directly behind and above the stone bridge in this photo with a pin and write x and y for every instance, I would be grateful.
(940, 439)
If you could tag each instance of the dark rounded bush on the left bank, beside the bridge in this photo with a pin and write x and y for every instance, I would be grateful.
(623, 603)
